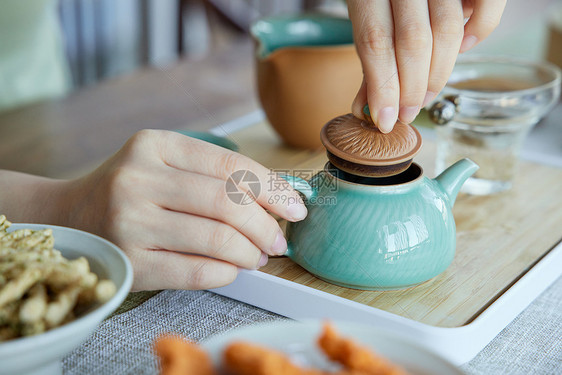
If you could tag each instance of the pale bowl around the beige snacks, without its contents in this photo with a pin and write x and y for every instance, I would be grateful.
(41, 354)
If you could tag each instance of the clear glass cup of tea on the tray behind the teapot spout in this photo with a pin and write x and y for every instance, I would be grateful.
(486, 110)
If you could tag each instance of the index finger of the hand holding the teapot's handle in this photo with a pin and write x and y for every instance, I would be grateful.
(269, 189)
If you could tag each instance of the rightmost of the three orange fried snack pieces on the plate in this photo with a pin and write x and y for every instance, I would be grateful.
(353, 356)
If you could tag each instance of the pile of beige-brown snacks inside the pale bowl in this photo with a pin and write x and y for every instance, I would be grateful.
(39, 288)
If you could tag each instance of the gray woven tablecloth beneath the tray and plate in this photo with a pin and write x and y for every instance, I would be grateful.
(531, 344)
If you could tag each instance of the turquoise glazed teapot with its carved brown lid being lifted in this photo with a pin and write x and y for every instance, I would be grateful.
(375, 222)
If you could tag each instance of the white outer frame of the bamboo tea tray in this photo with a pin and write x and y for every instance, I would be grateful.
(458, 344)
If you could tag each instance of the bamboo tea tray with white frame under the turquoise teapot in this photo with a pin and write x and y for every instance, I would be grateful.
(508, 251)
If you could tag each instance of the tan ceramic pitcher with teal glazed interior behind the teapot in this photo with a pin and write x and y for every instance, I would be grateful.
(308, 72)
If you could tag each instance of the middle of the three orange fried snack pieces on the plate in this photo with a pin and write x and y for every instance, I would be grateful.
(241, 358)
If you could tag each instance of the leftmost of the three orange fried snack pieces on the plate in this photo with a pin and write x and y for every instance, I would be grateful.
(179, 357)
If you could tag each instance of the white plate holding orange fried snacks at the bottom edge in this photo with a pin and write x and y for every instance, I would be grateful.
(298, 340)
